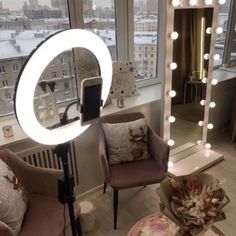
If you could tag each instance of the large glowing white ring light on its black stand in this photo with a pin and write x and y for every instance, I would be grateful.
(24, 94)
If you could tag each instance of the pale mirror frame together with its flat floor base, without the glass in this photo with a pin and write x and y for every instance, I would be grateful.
(190, 157)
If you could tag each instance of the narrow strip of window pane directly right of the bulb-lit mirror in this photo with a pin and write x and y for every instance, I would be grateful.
(222, 22)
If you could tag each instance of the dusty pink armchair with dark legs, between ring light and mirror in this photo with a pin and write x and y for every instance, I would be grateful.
(135, 173)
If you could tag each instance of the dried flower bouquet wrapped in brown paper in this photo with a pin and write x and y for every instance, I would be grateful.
(193, 202)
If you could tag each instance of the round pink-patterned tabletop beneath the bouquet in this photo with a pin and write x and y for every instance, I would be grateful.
(158, 224)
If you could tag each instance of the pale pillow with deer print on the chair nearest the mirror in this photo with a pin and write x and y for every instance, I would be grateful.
(126, 141)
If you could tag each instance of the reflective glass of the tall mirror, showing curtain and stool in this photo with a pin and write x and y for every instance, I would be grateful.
(191, 53)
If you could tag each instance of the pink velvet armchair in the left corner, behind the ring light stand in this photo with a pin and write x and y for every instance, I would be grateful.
(44, 215)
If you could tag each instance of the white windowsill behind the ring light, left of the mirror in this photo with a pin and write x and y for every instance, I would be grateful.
(147, 95)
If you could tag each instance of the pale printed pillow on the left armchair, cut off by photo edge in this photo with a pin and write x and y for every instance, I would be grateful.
(12, 199)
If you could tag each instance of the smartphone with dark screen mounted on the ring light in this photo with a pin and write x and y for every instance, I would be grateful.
(90, 99)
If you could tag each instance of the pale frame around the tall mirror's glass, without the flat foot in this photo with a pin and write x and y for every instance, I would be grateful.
(166, 27)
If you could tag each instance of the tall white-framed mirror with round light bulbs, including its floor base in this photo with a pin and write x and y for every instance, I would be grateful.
(186, 53)
